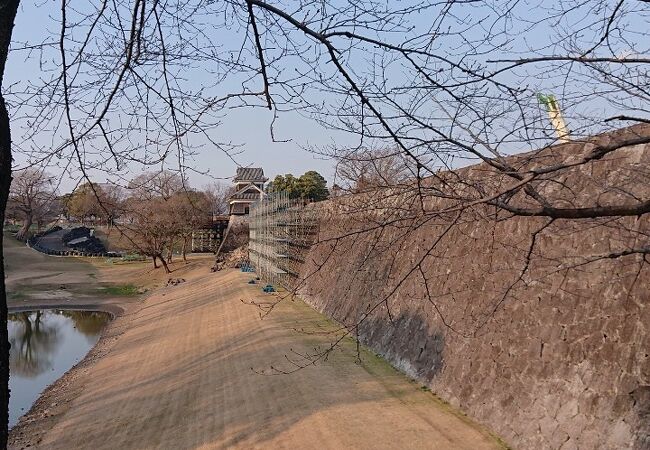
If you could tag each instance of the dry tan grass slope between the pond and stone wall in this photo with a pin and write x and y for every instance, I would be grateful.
(177, 374)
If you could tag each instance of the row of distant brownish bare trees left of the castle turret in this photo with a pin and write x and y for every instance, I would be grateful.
(155, 214)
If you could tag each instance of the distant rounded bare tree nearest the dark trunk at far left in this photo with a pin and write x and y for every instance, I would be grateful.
(31, 198)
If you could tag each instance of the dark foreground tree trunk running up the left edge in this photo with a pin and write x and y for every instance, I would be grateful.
(8, 9)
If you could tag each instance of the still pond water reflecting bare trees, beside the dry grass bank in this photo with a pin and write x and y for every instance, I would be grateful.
(44, 345)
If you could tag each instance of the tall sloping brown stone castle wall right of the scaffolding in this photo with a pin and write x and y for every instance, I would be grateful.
(553, 353)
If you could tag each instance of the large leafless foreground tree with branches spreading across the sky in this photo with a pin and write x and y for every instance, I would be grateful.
(444, 83)
